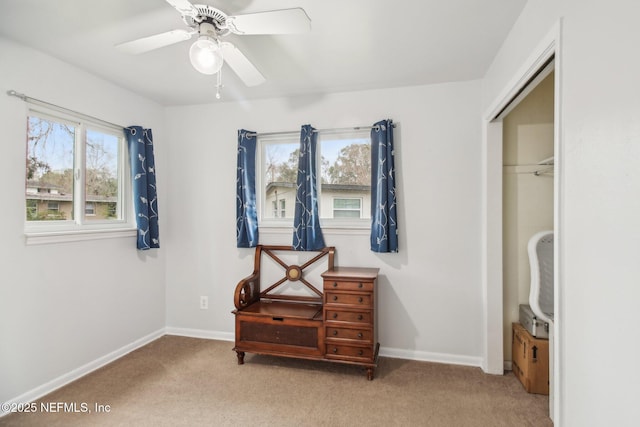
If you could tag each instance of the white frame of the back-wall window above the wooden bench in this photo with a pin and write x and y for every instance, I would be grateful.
(358, 225)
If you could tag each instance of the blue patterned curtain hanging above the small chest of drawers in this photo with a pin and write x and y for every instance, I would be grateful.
(384, 222)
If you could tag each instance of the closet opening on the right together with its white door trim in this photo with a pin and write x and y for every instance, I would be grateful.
(521, 170)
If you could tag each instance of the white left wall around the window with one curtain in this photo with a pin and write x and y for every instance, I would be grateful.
(63, 306)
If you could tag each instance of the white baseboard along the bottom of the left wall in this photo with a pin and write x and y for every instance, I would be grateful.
(77, 373)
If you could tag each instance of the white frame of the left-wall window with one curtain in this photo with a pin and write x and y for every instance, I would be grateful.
(79, 228)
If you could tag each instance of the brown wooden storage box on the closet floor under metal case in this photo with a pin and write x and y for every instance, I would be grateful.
(530, 360)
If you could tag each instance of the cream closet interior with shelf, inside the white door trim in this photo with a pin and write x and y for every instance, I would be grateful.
(527, 207)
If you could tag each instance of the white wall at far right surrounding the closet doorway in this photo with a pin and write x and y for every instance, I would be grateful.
(599, 235)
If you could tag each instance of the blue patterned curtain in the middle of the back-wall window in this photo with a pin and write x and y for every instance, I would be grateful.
(307, 235)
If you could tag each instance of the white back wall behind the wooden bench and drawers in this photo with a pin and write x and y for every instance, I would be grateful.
(430, 304)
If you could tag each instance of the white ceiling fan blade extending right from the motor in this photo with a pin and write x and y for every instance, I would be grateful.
(284, 21)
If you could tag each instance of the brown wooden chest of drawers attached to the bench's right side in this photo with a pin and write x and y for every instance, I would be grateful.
(349, 316)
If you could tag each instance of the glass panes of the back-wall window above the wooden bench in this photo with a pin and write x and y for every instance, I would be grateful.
(344, 172)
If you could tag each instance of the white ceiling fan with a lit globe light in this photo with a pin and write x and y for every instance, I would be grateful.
(208, 53)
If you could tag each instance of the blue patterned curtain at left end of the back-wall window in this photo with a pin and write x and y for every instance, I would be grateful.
(246, 209)
